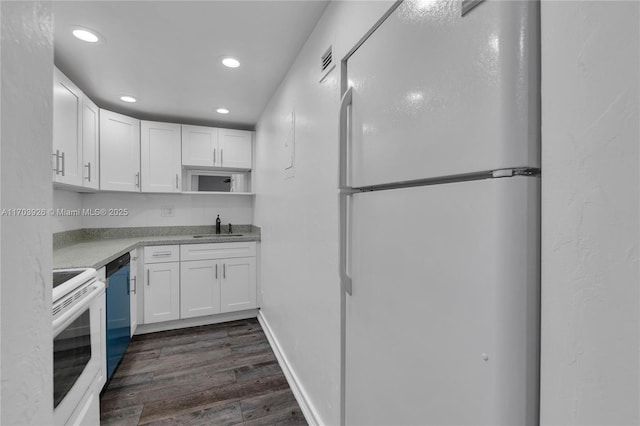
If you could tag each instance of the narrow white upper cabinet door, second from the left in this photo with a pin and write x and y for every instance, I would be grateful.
(90, 131)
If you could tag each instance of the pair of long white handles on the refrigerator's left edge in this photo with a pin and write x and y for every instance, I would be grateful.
(345, 191)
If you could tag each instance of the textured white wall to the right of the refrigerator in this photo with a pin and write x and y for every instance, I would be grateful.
(590, 299)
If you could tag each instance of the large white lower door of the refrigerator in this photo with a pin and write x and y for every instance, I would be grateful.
(442, 327)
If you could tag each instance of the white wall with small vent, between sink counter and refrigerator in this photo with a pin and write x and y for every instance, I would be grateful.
(299, 215)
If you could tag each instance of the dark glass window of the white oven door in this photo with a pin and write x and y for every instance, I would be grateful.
(71, 354)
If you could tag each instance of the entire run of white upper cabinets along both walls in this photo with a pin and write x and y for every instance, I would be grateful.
(95, 149)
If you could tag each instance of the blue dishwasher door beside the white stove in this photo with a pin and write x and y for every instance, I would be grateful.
(118, 317)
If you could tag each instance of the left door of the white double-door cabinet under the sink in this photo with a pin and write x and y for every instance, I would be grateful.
(199, 288)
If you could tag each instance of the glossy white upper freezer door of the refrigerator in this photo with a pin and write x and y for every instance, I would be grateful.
(437, 94)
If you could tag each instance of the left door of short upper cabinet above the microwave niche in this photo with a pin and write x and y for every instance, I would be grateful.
(200, 146)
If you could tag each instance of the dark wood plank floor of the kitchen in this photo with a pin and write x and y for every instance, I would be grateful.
(222, 374)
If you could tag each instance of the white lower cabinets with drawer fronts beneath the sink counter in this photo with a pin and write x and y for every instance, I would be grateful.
(195, 280)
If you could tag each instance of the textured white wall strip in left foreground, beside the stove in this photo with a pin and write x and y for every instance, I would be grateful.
(26, 133)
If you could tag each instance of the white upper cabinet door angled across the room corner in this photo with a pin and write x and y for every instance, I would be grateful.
(119, 152)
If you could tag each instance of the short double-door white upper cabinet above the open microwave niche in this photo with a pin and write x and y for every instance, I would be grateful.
(212, 147)
